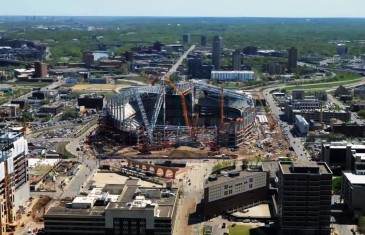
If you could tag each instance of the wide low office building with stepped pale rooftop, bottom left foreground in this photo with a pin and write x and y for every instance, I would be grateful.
(116, 209)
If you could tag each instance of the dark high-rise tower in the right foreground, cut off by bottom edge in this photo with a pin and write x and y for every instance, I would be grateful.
(304, 198)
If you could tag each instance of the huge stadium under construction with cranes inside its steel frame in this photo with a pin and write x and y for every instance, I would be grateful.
(172, 114)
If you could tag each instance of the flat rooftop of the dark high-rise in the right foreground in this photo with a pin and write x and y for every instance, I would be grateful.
(304, 168)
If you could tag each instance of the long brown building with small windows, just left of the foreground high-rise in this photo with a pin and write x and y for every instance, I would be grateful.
(235, 189)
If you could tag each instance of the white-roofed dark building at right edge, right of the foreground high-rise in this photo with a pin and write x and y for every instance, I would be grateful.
(353, 190)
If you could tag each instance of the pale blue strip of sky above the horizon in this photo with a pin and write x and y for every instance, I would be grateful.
(215, 8)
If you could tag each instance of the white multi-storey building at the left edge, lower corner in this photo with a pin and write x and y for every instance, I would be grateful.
(14, 181)
